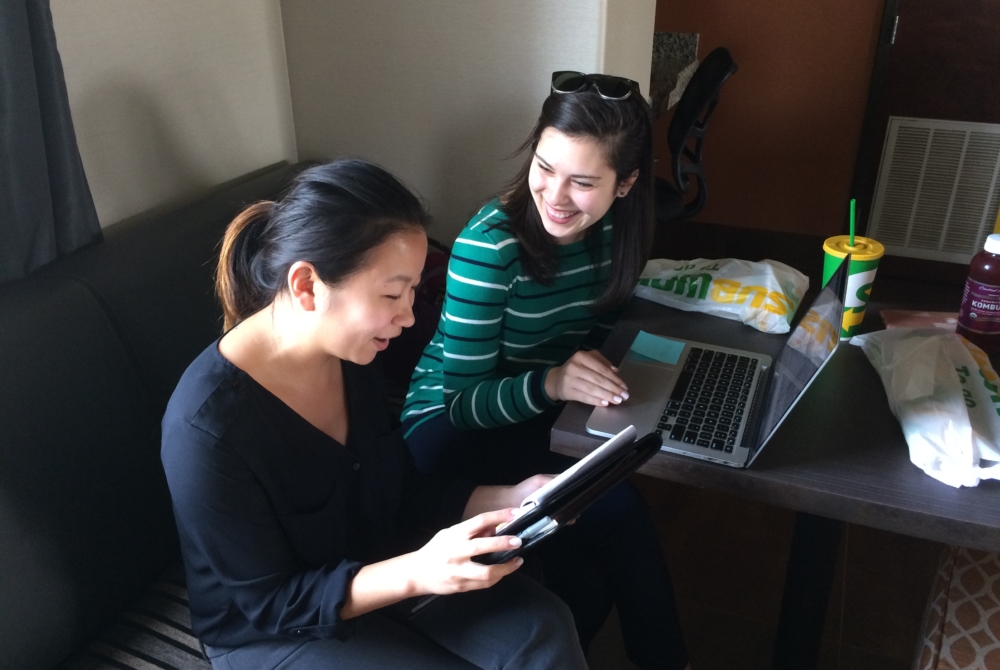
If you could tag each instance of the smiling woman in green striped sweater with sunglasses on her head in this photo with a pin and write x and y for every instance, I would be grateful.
(535, 282)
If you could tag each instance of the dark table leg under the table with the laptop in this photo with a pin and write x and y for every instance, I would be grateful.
(808, 581)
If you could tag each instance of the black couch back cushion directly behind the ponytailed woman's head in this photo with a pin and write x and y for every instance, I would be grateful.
(154, 274)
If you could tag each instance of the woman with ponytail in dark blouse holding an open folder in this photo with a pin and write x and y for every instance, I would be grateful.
(303, 525)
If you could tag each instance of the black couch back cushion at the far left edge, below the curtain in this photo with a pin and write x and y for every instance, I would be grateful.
(85, 517)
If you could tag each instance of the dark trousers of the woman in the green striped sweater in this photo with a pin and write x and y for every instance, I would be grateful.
(610, 557)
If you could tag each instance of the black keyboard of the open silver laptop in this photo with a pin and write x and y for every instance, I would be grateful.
(710, 401)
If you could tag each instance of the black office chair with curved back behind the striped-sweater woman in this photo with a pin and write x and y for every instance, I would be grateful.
(689, 123)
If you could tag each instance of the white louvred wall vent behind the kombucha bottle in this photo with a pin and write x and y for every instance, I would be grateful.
(937, 192)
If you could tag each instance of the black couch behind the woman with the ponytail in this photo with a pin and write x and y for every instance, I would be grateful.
(91, 348)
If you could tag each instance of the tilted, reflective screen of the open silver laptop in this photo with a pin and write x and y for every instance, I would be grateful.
(807, 349)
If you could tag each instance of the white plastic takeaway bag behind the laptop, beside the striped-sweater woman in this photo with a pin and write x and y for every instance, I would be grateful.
(764, 295)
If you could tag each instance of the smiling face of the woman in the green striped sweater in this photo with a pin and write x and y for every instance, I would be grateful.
(572, 185)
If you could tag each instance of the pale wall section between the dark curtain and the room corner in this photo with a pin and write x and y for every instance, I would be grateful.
(171, 98)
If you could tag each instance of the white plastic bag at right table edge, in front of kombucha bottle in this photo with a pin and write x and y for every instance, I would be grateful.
(945, 394)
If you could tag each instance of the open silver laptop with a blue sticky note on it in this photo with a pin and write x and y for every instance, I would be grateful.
(717, 403)
